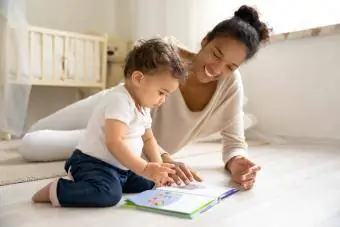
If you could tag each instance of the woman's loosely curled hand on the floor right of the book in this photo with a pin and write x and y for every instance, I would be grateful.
(243, 172)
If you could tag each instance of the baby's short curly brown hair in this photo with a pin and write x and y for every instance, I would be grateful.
(154, 56)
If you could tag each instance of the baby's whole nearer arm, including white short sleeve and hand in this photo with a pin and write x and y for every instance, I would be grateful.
(119, 113)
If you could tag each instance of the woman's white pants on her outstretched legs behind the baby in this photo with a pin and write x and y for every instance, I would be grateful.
(55, 137)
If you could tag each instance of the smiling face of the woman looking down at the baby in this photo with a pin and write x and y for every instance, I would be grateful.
(217, 58)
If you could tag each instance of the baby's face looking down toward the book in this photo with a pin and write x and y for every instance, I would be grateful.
(153, 90)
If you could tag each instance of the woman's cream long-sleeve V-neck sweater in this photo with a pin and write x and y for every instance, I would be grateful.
(174, 125)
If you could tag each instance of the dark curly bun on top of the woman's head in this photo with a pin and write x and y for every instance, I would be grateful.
(250, 15)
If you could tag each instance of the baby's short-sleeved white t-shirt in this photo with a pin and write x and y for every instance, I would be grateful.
(119, 105)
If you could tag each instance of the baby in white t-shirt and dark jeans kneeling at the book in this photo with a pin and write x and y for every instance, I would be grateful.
(107, 161)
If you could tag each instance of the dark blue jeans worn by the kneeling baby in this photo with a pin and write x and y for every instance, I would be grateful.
(97, 183)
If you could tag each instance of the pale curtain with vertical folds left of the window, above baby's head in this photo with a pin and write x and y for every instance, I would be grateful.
(165, 18)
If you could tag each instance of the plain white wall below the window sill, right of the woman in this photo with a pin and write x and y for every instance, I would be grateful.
(294, 88)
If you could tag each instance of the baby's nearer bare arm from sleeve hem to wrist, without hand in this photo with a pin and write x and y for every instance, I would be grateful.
(115, 131)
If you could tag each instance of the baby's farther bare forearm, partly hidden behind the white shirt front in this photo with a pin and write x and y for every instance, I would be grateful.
(151, 147)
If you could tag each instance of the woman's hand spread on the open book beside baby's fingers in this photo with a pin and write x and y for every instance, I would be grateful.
(184, 174)
